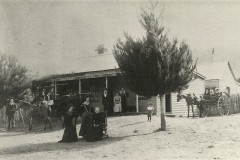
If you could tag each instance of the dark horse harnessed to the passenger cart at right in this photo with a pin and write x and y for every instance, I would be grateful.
(190, 100)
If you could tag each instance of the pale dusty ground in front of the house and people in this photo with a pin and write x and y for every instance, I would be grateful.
(132, 137)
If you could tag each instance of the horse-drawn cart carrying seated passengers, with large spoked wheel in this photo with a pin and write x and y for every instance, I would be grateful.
(219, 101)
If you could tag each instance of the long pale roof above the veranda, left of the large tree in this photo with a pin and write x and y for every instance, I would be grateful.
(86, 66)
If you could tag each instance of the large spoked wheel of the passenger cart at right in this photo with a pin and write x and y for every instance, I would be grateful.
(224, 105)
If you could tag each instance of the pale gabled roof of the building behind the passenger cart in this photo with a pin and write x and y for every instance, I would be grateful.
(214, 70)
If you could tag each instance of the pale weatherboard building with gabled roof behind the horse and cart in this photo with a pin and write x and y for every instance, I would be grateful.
(208, 75)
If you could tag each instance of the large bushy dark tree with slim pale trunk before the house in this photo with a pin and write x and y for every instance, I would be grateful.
(153, 65)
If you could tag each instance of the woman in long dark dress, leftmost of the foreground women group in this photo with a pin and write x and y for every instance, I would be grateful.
(70, 133)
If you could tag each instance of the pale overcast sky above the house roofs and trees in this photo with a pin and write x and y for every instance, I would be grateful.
(52, 37)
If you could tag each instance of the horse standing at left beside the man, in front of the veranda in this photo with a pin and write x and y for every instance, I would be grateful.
(36, 111)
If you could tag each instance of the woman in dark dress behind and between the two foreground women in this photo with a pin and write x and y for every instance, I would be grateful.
(86, 117)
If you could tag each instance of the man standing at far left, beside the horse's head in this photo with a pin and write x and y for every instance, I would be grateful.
(10, 112)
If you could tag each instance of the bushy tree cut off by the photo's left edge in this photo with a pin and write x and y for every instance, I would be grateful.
(14, 79)
